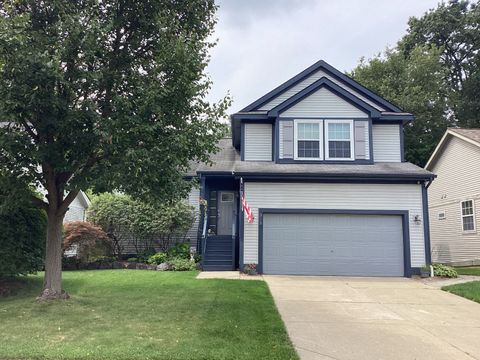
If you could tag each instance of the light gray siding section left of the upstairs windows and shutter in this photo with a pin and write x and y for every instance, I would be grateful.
(258, 142)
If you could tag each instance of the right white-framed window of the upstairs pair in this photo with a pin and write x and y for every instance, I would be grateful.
(339, 139)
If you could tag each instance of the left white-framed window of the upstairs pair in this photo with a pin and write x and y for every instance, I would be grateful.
(308, 140)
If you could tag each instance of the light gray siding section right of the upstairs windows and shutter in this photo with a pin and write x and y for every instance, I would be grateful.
(386, 143)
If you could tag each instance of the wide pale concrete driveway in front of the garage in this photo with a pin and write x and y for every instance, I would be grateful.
(375, 318)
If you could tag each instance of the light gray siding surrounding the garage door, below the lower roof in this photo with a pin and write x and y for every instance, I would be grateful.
(335, 196)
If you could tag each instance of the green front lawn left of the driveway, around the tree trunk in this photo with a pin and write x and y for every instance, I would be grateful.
(140, 314)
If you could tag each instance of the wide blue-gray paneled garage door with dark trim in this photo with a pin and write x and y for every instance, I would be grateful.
(333, 244)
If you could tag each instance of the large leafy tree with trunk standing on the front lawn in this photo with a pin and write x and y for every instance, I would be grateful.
(104, 95)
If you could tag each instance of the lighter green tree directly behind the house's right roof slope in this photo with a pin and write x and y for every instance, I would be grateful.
(415, 84)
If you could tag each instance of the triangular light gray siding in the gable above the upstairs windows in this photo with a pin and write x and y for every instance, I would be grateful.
(324, 103)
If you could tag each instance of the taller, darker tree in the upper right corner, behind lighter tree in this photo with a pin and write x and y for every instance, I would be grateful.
(453, 27)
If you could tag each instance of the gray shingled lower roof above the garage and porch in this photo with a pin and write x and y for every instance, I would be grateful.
(227, 161)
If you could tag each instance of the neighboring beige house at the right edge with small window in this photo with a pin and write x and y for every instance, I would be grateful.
(454, 198)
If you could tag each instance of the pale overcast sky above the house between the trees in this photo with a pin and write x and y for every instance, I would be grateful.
(262, 43)
